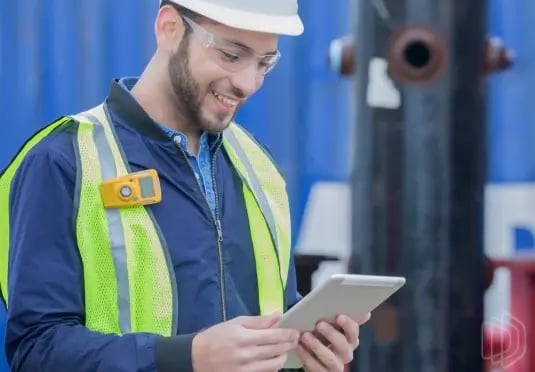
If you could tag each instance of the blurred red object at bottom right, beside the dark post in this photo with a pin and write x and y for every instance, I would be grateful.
(509, 345)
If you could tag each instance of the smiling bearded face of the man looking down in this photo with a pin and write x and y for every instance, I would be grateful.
(208, 95)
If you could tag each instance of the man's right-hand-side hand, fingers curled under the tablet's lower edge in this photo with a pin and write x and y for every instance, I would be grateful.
(338, 348)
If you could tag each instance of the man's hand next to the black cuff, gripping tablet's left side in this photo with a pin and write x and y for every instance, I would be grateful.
(243, 344)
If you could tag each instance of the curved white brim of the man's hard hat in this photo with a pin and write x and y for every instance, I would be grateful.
(245, 20)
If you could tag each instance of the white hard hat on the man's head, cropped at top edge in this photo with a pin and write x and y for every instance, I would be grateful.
(270, 16)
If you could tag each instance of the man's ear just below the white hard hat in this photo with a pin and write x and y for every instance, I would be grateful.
(168, 28)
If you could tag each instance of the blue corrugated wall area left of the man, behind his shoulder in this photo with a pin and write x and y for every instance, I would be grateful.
(59, 57)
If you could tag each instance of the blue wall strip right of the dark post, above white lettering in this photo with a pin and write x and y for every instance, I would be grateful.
(511, 108)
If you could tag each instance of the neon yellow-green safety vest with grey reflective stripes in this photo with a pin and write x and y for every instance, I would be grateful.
(128, 278)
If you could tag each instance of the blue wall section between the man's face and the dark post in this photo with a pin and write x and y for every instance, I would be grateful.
(302, 112)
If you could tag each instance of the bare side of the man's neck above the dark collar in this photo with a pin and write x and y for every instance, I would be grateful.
(152, 92)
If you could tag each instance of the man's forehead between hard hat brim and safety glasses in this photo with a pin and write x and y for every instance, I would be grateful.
(259, 42)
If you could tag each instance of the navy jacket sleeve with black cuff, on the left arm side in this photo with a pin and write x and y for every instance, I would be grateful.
(45, 320)
